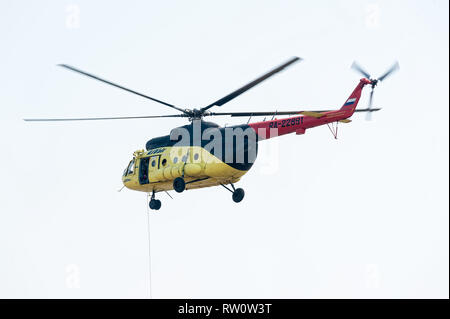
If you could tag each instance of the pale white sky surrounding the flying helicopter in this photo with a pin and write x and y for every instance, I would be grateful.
(362, 216)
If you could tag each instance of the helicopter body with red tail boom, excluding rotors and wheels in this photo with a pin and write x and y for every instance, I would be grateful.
(204, 154)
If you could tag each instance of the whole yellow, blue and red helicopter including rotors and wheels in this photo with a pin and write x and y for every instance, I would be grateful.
(203, 154)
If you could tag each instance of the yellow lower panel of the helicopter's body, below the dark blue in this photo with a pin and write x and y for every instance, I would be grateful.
(198, 167)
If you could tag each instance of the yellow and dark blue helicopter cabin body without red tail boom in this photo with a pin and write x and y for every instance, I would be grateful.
(217, 155)
